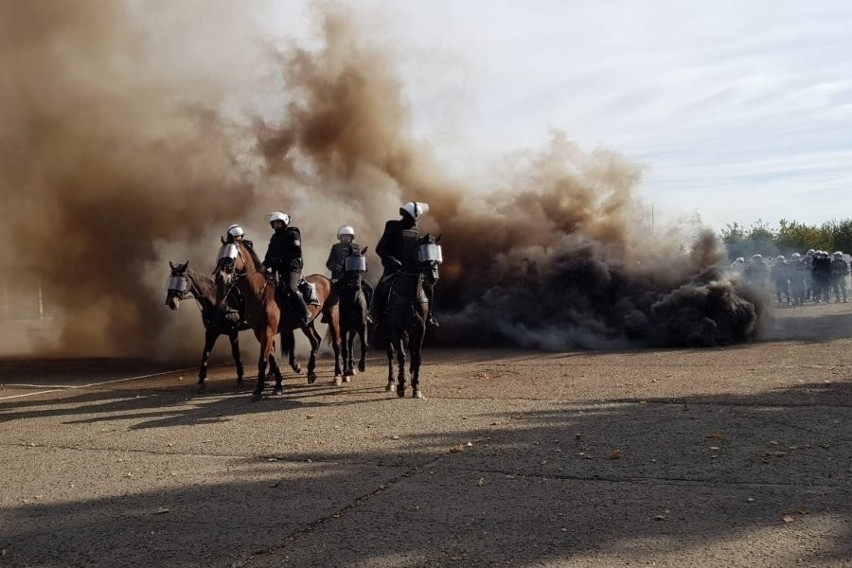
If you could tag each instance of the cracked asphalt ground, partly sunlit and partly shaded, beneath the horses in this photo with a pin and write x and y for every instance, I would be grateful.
(723, 457)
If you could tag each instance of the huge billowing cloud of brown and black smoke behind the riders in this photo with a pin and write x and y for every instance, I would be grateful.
(132, 133)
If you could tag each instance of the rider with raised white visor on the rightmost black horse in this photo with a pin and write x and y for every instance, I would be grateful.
(396, 245)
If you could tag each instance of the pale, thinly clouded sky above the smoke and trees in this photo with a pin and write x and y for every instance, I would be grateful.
(738, 110)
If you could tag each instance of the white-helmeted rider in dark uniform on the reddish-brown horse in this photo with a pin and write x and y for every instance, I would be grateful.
(284, 259)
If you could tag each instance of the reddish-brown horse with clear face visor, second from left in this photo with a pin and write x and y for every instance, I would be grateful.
(238, 265)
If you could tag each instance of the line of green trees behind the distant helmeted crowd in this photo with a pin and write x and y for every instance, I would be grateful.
(787, 238)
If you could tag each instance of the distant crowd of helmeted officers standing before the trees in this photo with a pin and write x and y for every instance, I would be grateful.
(812, 277)
